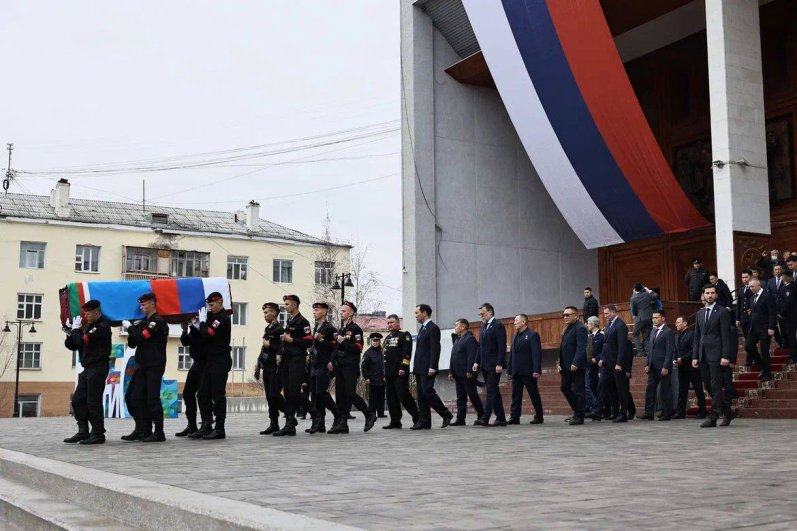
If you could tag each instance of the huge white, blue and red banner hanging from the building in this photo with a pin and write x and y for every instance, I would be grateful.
(565, 88)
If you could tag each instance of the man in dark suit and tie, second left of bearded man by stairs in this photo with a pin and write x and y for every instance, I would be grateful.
(661, 347)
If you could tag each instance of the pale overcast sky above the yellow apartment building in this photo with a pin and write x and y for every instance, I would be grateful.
(92, 84)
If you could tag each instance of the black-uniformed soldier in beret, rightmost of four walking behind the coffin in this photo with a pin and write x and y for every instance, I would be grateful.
(346, 363)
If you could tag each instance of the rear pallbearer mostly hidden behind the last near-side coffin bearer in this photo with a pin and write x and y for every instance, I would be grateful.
(192, 339)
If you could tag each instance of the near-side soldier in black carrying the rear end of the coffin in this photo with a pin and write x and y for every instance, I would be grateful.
(214, 329)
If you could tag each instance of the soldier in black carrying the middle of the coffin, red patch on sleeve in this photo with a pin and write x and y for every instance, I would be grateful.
(148, 336)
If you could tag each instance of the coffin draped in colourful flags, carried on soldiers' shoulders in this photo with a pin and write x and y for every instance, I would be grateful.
(178, 298)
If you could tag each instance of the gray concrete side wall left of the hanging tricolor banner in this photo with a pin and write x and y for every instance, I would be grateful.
(498, 237)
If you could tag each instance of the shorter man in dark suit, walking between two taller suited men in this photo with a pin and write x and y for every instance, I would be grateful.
(463, 356)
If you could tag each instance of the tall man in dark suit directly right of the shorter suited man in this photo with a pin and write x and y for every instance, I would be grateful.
(491, 358)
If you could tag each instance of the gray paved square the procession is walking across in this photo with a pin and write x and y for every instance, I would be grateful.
(638, 475)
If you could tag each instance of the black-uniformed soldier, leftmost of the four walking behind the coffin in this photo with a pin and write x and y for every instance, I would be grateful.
(267, 365)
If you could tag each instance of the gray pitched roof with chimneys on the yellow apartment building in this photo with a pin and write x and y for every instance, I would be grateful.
(60, 207)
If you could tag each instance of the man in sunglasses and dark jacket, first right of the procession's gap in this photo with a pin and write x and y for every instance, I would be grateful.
(573, 363)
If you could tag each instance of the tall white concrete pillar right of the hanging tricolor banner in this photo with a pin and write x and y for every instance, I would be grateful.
(741, 189)
